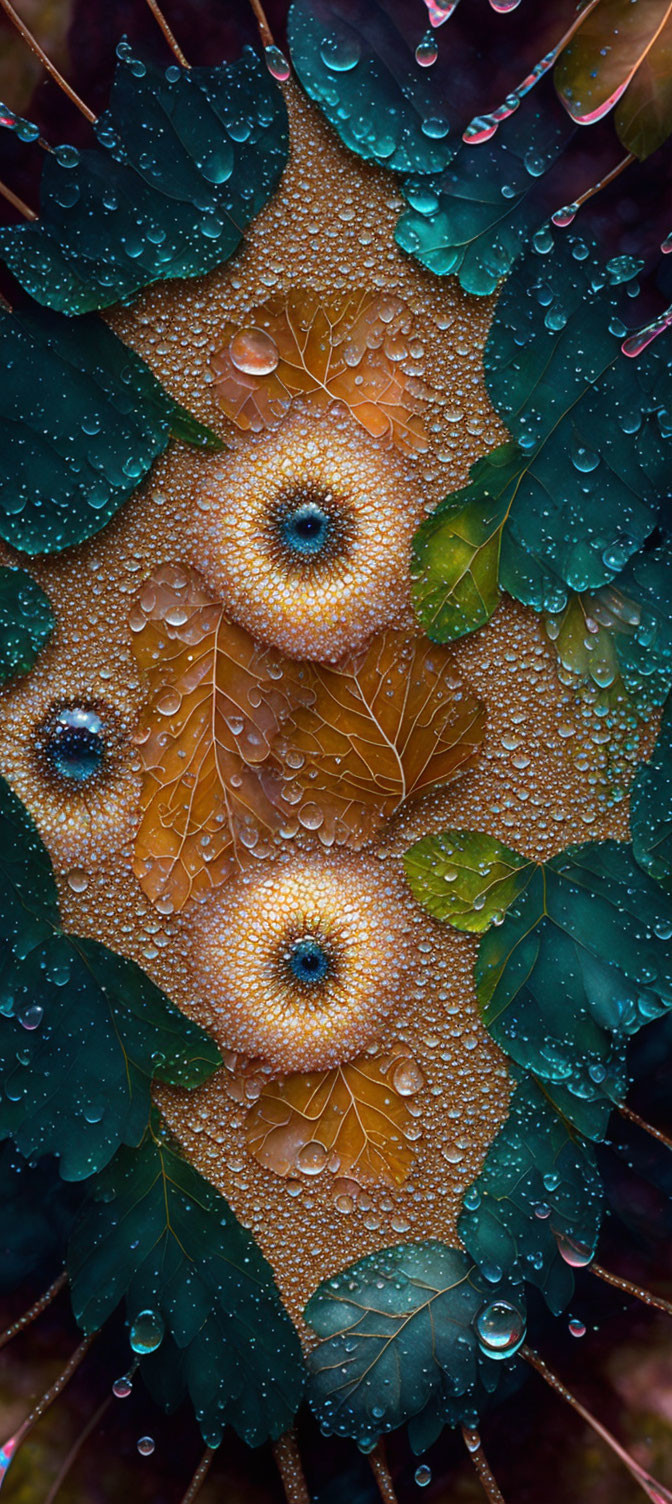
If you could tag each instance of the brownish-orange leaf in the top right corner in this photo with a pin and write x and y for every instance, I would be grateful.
(607, 53)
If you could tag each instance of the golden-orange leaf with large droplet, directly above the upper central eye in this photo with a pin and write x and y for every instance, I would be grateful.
(350, 351)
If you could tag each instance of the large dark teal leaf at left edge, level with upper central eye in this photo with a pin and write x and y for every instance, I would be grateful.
(82, 422)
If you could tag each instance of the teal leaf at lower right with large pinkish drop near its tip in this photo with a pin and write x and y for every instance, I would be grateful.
(536, 1210)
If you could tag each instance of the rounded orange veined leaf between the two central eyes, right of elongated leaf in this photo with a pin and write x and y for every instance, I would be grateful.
(383, 727)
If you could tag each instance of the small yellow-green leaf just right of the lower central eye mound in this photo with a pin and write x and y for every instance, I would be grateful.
(467, 878)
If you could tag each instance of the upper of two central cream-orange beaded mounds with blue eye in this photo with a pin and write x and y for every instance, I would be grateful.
(310, 604)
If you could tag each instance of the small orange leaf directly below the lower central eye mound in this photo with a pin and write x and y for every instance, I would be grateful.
(351, 1118)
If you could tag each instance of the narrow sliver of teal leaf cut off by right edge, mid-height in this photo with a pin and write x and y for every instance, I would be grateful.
(652, 808)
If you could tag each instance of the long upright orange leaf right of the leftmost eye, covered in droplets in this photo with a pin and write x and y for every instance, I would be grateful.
(205, 750)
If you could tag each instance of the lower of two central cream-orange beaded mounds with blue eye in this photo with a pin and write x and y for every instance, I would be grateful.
(347, 914)
